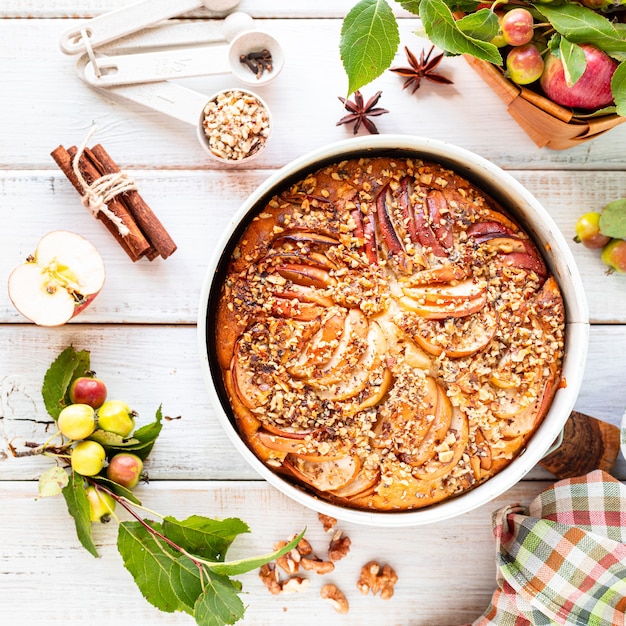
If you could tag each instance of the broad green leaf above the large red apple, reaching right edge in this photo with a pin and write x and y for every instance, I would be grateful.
(581, 25)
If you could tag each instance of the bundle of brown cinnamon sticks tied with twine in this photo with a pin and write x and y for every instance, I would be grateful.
(143, 234)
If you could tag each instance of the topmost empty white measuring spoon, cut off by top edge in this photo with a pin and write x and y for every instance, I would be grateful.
(127, 20)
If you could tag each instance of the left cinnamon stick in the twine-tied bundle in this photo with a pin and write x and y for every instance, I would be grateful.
(134, 244)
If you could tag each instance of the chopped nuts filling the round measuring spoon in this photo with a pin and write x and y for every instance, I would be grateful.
(234, 125)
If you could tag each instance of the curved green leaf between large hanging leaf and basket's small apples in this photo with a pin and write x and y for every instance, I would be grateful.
(443, 30)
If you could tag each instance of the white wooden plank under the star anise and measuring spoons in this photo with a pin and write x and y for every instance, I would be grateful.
(58, 108)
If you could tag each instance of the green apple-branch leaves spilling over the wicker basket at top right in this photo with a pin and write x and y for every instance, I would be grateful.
(370, 36)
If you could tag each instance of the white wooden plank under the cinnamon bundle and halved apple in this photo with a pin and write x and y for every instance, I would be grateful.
(197, 206)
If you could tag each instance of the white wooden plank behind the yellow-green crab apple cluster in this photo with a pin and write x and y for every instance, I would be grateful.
(147, 365)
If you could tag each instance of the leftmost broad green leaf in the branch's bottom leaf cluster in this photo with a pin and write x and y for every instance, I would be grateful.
(166, 580)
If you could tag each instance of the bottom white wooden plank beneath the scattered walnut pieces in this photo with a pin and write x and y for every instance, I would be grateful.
(446, 572)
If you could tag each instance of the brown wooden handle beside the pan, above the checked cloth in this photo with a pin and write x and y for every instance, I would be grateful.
(588, 444)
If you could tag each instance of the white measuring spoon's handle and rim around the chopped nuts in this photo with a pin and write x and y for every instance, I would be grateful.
(171, 99)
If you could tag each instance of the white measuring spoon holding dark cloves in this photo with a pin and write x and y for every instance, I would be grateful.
(126, 69)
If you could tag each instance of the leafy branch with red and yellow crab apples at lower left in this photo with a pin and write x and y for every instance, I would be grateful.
(178, 565)
